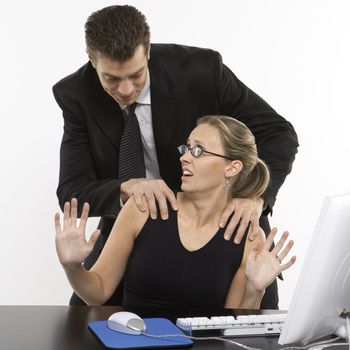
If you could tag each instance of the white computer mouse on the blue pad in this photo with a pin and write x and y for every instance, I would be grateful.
(126, 322)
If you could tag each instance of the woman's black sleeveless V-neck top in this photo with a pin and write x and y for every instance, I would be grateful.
(162, 273)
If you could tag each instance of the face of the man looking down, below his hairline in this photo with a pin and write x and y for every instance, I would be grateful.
(122, 81)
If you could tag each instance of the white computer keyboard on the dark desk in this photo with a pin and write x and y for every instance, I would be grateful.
(239, 326)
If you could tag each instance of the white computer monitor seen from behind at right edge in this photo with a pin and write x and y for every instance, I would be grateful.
(322, 292)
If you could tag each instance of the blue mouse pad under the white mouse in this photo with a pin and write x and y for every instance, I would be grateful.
(156, 326)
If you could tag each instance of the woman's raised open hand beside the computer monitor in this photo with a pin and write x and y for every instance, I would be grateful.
(263, 265)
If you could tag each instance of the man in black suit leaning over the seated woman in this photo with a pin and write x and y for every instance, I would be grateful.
(173, 86)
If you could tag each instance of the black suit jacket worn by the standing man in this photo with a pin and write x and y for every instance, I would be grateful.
(186, 83)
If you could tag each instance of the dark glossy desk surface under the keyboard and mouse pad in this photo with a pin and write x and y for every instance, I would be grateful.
(66, 327)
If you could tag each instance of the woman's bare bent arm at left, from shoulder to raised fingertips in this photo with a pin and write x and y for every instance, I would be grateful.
(98, 284)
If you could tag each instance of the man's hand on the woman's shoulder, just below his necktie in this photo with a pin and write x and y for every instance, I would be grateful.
(152, 191)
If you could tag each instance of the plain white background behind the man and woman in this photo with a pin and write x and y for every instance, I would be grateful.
(295, 54)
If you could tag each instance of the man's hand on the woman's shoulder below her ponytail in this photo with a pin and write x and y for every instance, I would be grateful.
(246, 210)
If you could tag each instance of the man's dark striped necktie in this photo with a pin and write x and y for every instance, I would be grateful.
(131, 161)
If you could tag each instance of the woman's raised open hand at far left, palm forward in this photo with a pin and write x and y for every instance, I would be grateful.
(71, 245)
